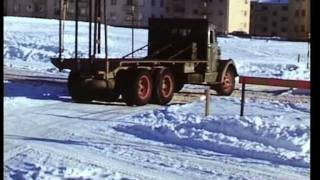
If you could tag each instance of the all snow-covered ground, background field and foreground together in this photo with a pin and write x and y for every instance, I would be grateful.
(46, 136)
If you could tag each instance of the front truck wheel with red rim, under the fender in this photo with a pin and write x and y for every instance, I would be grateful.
(227, 86)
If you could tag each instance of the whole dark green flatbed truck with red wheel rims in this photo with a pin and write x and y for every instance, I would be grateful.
(179, 51)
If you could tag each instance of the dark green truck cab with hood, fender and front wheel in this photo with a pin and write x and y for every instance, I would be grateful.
(192, 40)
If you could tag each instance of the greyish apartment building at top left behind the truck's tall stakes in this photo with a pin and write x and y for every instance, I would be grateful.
(119, 12)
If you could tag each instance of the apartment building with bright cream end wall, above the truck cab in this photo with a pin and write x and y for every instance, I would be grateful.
(227, 15)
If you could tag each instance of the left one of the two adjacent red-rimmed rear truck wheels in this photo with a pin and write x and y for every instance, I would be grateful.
(139, 88)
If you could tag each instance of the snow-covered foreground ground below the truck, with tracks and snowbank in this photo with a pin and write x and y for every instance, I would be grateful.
(47, 136)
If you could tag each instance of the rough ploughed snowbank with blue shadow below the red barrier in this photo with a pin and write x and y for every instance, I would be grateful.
(248, 137)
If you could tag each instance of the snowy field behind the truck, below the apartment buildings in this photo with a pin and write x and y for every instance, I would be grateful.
(29, 44)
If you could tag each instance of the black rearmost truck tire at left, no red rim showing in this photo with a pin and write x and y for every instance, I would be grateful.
(77, 90)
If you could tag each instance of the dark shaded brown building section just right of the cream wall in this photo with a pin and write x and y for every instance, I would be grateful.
(269, 19)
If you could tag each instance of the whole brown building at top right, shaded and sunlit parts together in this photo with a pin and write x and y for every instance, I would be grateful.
(289, 19)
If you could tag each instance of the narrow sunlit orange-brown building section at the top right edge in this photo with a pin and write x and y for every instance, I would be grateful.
(299, 19)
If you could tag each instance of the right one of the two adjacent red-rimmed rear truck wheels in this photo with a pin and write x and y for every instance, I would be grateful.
(164, 86)
